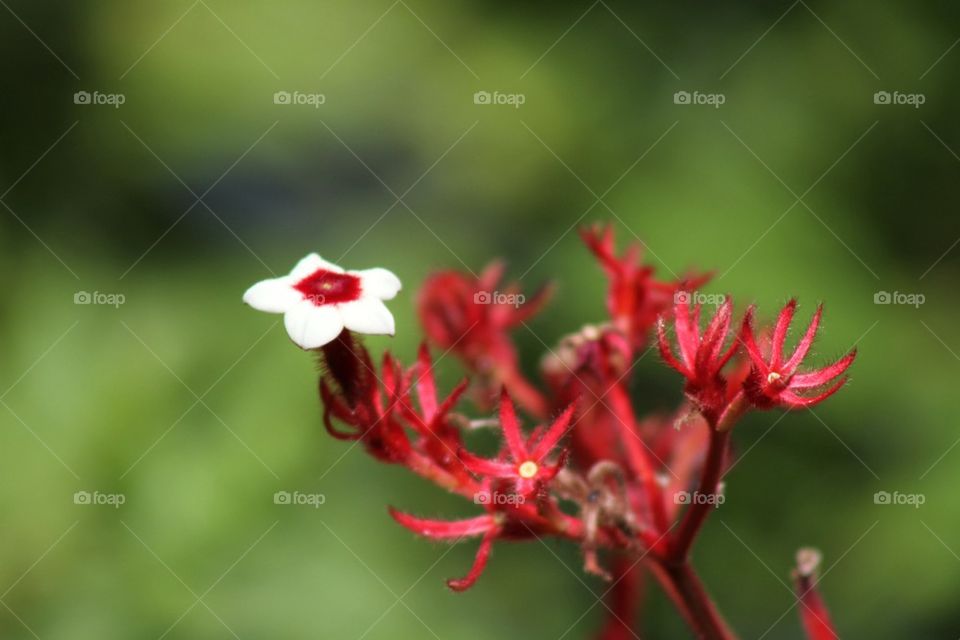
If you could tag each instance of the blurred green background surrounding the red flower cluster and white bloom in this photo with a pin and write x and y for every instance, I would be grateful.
(197, 409)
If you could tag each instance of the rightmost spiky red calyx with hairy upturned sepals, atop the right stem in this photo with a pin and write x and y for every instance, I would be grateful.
(774, 381)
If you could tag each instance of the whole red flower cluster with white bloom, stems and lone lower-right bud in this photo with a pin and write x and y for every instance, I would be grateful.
(633, 492)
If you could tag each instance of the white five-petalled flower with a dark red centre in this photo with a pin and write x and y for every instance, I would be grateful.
(319, 299)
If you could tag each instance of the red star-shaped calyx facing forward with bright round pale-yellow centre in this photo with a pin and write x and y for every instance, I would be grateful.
(526, 466)
